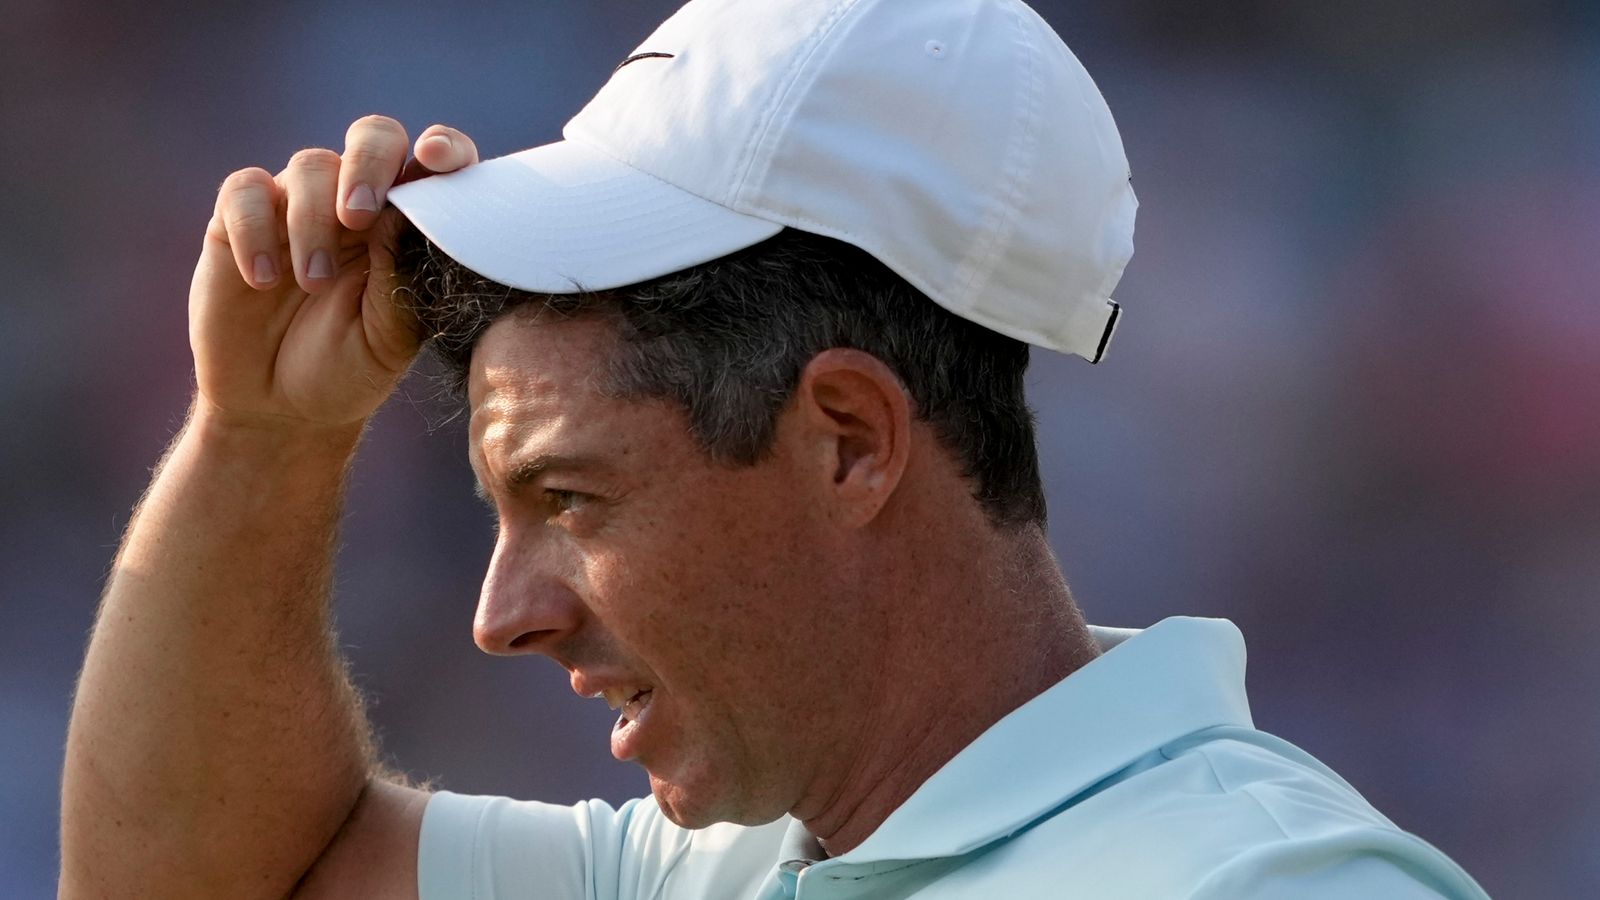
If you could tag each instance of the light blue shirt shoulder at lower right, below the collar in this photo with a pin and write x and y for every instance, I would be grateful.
(1230, 813)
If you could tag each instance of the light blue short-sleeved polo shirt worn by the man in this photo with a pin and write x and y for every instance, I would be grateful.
(1137, 777)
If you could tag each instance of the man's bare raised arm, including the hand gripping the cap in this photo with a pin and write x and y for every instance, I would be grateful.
(217, 745)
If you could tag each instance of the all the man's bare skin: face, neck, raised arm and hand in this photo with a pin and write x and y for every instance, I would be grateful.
(823, 630)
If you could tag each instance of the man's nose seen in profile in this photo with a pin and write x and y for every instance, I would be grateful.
(526, 608)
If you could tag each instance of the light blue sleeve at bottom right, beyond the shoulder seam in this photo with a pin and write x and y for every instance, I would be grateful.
(1354, 864)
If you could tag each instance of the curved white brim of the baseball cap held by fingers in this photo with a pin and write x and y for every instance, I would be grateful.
(566, 219)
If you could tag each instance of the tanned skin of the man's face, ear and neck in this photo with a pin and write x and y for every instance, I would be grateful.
(738, 593)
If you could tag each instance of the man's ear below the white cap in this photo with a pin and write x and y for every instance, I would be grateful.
(857, 417)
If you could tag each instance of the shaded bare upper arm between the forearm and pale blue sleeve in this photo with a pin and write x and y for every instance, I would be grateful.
(377, 850)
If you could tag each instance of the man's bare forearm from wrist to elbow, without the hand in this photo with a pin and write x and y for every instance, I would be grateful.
(217, 744)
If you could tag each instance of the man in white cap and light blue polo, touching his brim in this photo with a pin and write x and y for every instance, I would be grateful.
(745, 360)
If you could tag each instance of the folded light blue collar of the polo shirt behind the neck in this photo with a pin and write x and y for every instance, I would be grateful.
(1148, 689)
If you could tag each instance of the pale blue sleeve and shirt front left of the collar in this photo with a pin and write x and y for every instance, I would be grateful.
(478, 848)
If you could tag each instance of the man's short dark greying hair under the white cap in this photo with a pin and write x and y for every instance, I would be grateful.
(727, 342)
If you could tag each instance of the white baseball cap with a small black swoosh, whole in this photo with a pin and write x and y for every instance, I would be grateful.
(958, 142)
